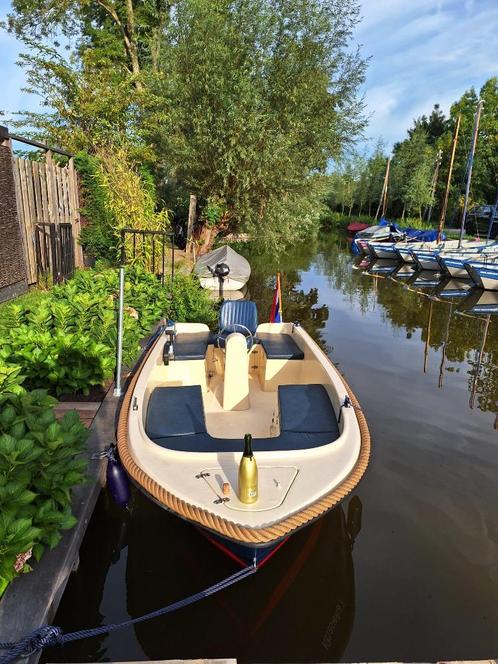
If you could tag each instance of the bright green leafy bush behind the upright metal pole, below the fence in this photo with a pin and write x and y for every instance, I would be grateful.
(65, 340)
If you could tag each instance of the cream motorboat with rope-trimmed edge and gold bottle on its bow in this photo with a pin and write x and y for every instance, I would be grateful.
(194, 397)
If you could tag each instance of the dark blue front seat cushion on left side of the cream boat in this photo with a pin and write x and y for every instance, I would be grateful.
(175, 411)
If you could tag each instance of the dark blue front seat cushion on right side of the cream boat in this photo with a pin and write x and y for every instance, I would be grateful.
(306, 409)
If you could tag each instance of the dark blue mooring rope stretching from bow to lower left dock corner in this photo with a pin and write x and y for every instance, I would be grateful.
(49, 635)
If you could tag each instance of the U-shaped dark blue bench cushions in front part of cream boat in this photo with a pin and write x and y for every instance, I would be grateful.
(175, 420)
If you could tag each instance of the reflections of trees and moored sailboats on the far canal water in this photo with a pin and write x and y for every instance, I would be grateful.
(405, 297)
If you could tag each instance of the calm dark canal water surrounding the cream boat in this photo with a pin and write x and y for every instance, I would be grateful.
(406, 569)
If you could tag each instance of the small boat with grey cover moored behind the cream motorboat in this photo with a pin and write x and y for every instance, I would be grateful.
(223, 268)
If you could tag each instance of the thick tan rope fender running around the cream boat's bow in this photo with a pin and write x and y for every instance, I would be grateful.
(220, 525)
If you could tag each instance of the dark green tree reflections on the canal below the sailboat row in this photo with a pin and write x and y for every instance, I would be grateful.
(406, 307)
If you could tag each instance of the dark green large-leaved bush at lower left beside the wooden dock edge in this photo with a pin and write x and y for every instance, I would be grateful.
(39, 465)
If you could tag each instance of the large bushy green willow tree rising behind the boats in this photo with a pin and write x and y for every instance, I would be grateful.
(262, 94)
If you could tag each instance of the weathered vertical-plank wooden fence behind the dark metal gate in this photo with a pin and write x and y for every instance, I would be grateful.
(46, 194)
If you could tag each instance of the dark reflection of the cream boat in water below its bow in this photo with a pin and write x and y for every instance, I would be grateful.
(158, 559)
